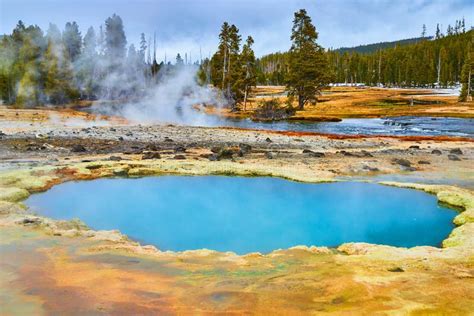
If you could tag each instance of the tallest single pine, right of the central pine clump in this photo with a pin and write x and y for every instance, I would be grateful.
(308, 69)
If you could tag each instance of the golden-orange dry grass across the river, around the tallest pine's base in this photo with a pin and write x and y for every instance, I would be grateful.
(355, 102)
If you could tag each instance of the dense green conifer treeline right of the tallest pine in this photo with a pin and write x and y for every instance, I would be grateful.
(423, 64)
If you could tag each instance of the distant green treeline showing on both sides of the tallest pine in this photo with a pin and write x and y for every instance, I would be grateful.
(422, 63)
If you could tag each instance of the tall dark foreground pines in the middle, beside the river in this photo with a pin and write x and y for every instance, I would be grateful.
(234, 69)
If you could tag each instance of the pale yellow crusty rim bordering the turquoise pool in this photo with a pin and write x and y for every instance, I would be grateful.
(452, 196)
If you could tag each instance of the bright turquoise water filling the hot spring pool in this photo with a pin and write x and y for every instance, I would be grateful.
(249, 214)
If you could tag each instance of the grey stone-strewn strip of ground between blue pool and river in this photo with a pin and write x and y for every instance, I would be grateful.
(438, 160)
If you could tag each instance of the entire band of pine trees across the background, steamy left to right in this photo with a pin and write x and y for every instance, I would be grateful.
(57, 67)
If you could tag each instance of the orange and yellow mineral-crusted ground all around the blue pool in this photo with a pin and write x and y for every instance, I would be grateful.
(58, 267)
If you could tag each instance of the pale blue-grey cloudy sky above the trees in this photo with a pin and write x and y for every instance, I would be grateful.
(186, 25)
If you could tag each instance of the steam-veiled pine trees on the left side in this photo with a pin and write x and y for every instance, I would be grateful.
(54, 67)
